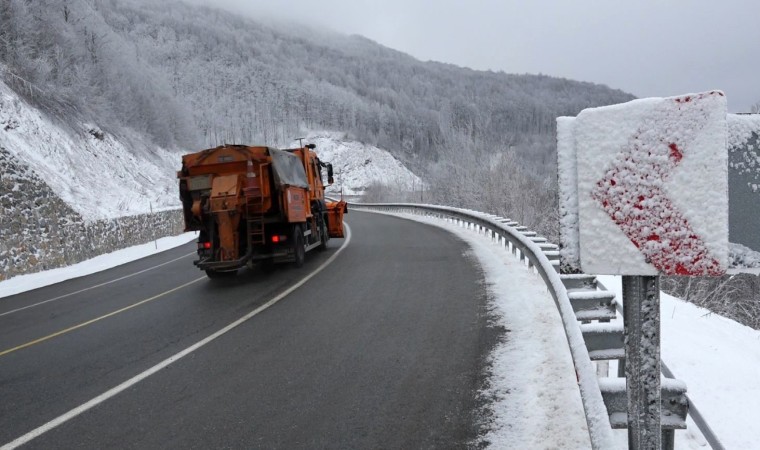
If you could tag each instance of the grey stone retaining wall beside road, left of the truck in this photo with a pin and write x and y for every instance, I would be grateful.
(38, 231)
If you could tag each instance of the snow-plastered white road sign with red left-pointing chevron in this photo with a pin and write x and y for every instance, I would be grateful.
(643, 187)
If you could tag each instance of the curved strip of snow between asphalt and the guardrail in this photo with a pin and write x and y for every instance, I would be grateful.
(537, 403)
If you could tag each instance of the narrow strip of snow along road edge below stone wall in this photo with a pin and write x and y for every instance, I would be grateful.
(22, 283)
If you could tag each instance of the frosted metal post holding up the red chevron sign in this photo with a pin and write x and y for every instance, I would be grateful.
(641, 315)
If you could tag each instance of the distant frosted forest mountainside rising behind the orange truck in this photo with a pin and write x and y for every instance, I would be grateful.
(244, 78)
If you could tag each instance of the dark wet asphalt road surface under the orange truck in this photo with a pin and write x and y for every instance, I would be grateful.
(384, 348)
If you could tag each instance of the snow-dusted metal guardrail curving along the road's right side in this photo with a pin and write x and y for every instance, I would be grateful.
(543, 257)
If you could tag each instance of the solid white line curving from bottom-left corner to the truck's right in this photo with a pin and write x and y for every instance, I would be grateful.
(163, 364)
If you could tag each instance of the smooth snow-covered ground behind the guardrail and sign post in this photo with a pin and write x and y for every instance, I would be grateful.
(718, 359)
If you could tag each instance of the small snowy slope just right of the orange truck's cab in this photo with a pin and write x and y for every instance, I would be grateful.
(358, 165)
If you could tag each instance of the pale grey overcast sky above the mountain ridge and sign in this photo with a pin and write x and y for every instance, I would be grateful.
(645, 47)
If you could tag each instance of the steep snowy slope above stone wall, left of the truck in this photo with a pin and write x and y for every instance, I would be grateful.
(99, 175)
